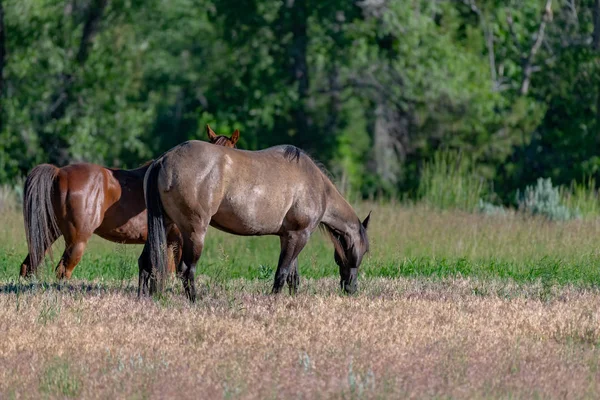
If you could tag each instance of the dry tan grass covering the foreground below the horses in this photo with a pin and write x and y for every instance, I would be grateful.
(398, 338)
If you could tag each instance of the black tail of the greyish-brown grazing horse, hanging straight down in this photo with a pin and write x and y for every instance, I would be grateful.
(157, 236)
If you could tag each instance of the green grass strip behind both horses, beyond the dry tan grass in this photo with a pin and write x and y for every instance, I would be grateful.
(405, 242)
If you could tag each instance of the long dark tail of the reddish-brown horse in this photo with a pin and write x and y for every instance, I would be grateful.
(41, 228)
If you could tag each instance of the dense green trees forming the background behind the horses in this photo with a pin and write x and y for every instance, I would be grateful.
(371, 89)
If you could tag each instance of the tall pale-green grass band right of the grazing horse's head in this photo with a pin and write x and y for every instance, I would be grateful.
(418, 231)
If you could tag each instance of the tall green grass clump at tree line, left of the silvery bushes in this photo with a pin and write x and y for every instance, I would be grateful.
(450, 181)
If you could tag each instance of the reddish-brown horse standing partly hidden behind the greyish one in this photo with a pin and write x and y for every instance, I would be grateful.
(79, 200)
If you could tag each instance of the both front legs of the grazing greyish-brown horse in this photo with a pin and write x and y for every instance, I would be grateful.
(291, 245)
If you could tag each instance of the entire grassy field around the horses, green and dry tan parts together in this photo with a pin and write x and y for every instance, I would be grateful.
(450, 305)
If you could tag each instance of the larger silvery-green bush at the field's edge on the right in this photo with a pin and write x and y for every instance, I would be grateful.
(544, 199)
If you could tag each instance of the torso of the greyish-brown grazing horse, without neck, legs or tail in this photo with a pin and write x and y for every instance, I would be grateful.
(242, 192)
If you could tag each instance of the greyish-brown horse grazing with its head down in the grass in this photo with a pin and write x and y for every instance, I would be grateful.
(278, 191)
